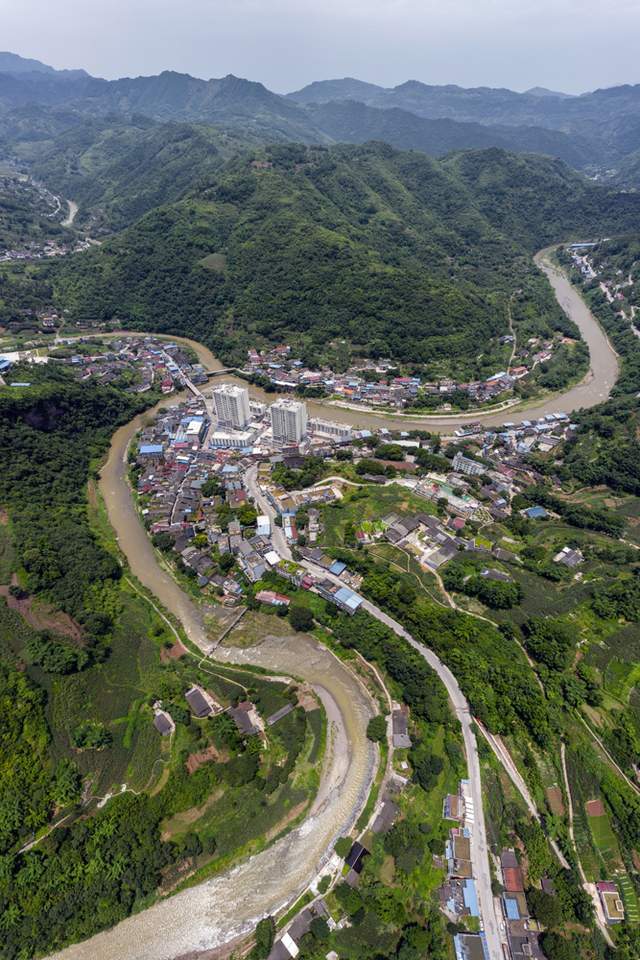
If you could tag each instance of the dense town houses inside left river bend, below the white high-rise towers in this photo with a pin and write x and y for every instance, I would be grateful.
(174, 463)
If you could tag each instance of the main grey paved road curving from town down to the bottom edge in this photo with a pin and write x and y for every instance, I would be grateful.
(479, 846)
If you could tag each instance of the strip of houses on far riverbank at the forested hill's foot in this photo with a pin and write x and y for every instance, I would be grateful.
(378, 383)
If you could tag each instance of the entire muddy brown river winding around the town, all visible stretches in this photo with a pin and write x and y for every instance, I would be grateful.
(217, 911)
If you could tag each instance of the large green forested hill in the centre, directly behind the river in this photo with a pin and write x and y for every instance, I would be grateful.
(394, 252)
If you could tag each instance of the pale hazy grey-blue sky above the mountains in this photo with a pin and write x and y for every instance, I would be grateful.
(573, 45)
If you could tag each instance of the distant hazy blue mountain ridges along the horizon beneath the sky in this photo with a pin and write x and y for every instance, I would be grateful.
(594, 131)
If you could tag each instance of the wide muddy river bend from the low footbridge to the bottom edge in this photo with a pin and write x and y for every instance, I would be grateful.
(219, 910)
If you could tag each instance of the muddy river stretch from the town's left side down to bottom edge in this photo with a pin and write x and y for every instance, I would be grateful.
(216, 912)
